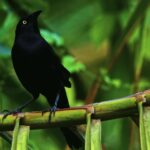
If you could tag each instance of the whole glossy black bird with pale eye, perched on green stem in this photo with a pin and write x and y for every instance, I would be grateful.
(40, 71)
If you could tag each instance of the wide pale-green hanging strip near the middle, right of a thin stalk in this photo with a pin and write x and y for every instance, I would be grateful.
(96, 135)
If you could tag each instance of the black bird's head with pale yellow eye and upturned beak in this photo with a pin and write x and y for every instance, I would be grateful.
(28, 23)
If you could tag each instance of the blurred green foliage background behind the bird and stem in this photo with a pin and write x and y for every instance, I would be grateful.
(104, 39)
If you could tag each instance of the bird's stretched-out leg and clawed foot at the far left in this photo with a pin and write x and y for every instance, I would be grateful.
(17, 110)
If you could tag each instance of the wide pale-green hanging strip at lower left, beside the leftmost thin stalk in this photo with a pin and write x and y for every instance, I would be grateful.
(22, 139)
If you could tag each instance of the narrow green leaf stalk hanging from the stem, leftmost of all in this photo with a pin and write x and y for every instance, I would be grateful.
(15, 134)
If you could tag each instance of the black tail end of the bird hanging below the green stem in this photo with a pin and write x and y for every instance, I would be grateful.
(74, 139)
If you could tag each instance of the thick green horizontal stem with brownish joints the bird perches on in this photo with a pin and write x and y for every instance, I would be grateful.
(122, 107)
